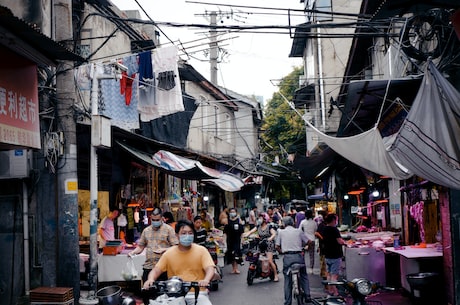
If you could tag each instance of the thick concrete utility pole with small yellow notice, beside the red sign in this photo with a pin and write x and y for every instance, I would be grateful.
(66, 188)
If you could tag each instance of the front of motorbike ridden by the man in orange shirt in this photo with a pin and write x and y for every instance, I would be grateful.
(170, 292)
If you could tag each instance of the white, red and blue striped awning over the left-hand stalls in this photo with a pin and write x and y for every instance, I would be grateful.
(185, 168)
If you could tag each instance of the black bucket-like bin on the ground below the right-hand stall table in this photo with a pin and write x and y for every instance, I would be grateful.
(424, 287)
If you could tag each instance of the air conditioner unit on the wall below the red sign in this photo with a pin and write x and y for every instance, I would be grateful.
(14, 163)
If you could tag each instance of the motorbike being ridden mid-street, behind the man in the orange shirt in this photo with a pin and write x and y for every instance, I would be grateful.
(259, 266)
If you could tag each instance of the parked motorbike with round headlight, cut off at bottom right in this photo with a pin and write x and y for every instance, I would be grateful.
(358, 290)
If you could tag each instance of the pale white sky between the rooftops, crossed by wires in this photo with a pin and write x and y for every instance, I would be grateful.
(253, 63)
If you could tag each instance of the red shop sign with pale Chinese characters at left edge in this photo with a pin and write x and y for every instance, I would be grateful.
(19, 119)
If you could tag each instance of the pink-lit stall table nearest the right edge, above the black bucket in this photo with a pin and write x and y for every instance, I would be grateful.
(414, 259)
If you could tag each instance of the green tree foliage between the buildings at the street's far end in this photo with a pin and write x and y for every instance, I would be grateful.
(282, 125)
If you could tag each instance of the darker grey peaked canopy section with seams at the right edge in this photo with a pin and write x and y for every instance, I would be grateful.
(427, 143)
